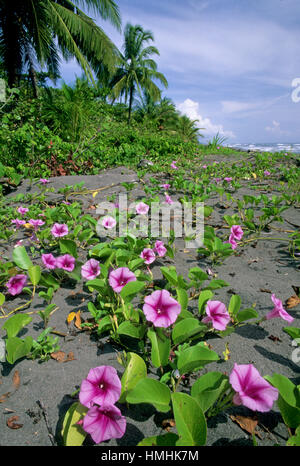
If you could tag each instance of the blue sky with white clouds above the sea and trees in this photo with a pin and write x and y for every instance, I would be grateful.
(229, 63)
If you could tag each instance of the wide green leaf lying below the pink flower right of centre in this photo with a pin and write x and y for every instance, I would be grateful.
(195, 358)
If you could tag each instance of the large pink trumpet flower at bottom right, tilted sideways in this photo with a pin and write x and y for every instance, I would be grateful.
(253, 391)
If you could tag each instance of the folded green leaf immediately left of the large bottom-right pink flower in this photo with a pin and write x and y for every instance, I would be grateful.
(208, 388)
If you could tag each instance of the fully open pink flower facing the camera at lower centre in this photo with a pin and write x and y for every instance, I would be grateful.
(161, 308)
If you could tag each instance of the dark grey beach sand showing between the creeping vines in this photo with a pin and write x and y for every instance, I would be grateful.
(44, 393)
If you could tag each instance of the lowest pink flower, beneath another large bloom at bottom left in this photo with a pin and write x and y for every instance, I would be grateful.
(104, 422)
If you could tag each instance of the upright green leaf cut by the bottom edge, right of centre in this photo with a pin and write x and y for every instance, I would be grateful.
(189, 419)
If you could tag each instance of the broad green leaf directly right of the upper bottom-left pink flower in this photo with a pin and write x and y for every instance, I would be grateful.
(151, 391)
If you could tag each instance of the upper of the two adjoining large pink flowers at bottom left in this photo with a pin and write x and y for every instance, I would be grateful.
(102, 387)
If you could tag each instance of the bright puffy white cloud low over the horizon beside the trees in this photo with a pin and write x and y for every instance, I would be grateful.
(191, 109)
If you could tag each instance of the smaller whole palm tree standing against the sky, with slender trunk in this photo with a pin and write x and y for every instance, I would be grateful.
(137, 71)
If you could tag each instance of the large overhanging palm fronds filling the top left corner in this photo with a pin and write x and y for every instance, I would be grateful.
(37, 31)
